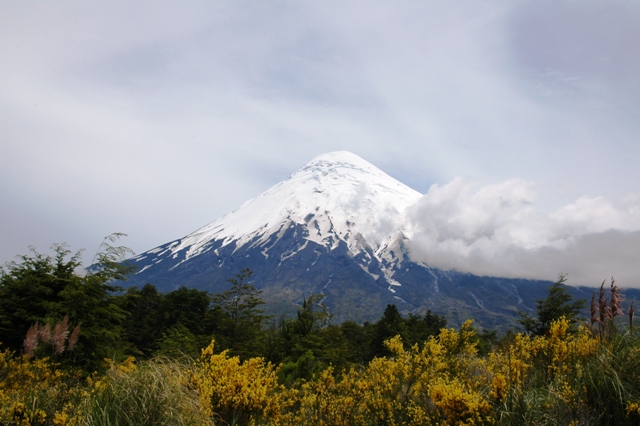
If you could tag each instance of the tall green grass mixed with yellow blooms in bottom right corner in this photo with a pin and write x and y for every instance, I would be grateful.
(601, 388)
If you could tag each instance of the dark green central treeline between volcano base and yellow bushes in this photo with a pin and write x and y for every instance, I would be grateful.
(186, 320)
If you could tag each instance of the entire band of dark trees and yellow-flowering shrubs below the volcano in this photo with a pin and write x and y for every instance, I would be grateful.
(77, 350)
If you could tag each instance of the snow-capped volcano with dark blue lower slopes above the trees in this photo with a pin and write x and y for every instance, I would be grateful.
(335, 227)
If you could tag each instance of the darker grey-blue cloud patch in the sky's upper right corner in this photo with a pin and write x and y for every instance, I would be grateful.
(578, 46)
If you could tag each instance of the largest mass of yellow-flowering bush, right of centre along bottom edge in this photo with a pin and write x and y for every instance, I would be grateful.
(442, 383)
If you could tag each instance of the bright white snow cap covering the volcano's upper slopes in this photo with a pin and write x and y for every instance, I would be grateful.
(336, 196)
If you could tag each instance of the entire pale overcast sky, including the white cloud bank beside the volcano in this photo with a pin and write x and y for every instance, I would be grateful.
(519, 120)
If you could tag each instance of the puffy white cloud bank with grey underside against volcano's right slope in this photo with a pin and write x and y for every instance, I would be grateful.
(497, 230)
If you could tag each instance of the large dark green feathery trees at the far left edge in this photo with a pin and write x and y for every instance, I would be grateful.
(46, 289)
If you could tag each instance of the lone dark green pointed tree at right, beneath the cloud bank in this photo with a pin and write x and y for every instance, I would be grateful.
(559, 303)
